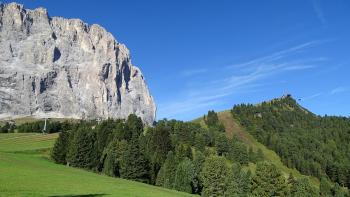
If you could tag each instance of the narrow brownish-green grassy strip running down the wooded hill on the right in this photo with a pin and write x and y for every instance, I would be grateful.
(233, 128)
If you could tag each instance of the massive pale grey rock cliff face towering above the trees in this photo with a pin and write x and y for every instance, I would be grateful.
(56, 67)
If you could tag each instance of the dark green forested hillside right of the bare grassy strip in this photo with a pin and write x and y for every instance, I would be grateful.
(315, 145)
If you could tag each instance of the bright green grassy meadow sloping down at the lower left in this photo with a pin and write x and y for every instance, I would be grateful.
(25, 170)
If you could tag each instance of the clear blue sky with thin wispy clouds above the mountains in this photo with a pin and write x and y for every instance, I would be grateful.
(198, 55)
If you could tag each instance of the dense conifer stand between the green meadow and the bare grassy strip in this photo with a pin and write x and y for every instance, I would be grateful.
(184, 156)
